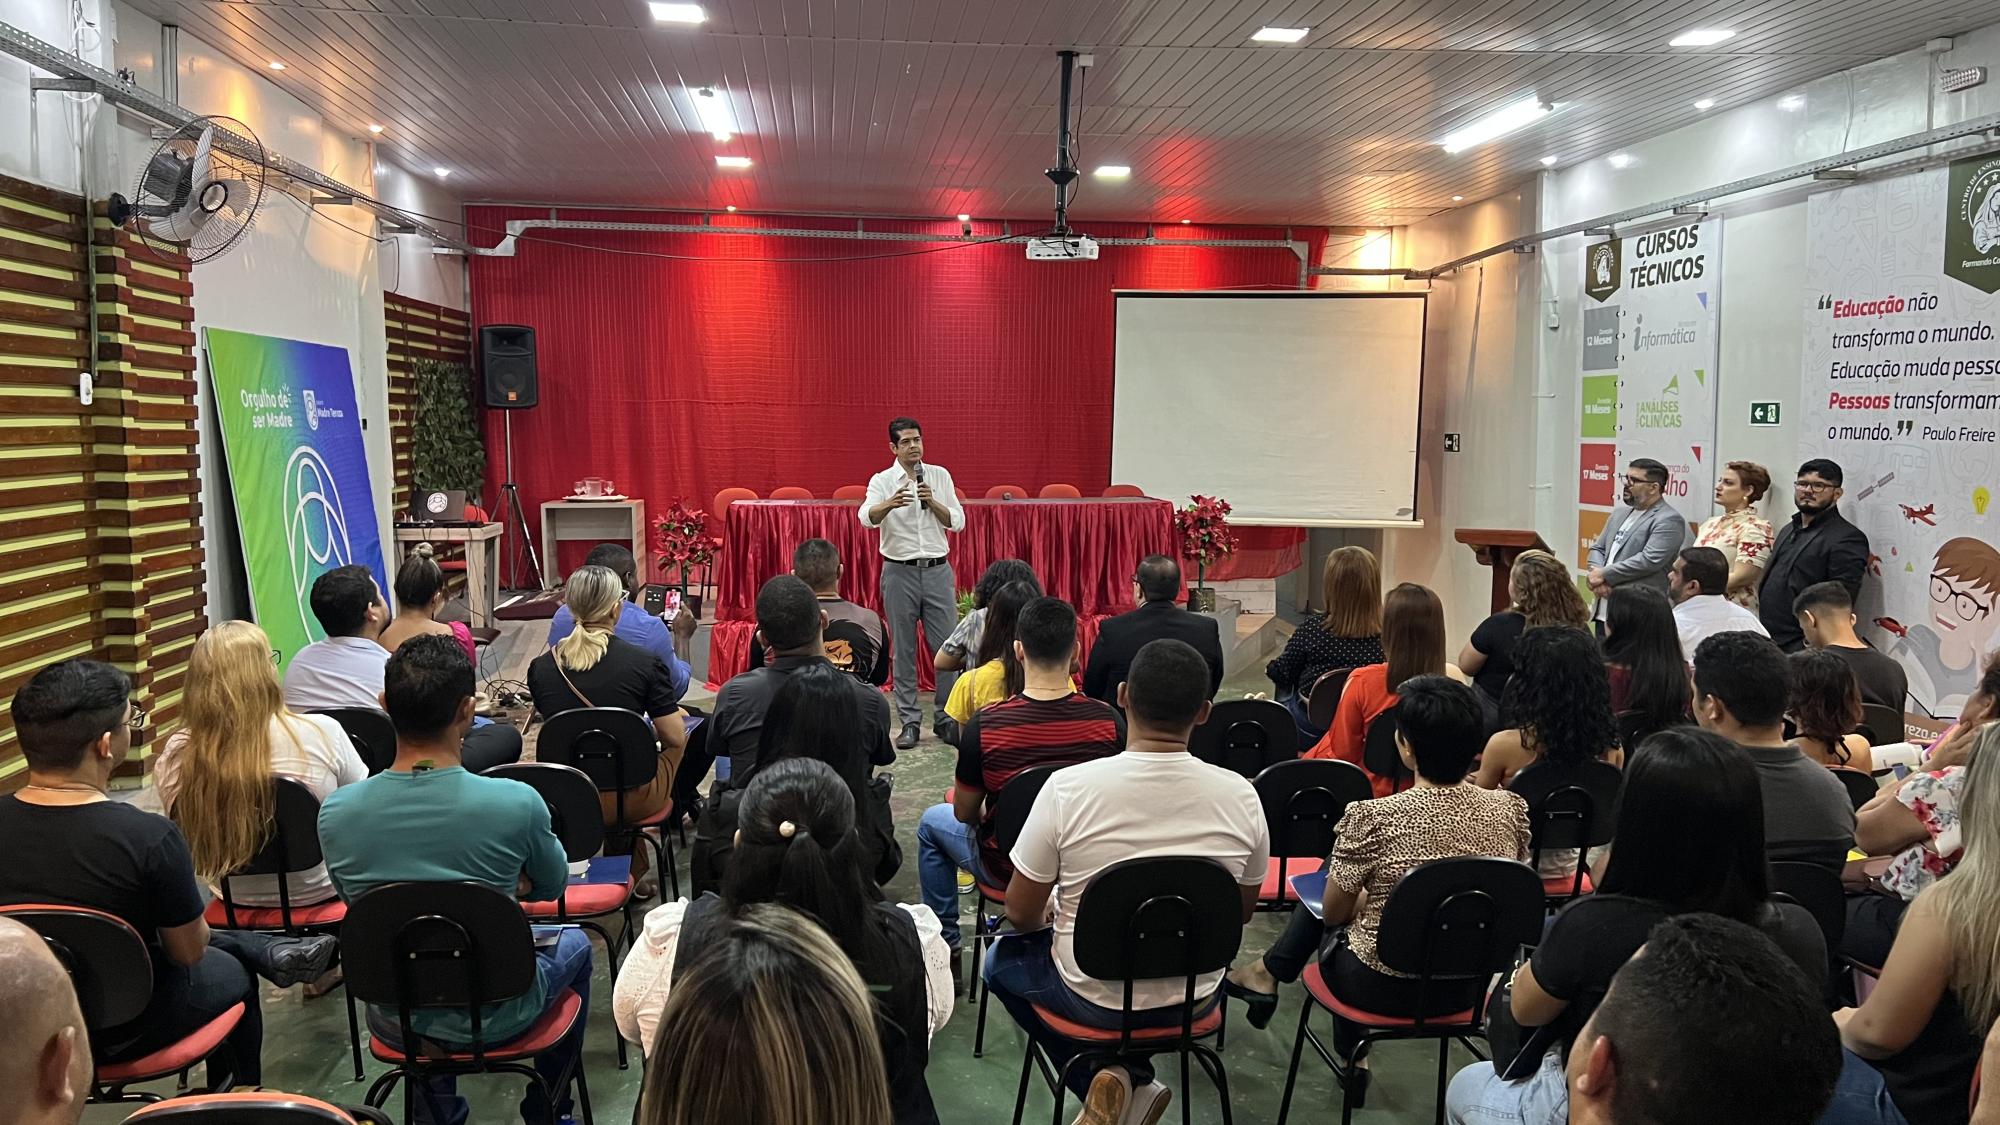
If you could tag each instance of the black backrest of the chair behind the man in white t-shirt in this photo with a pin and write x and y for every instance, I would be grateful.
(1159, 918)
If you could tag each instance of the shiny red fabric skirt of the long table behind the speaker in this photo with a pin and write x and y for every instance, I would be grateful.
(1085, 553)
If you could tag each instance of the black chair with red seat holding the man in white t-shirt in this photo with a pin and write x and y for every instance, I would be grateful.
(1147, 920)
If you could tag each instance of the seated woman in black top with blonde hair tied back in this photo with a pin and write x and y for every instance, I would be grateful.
(595, 668)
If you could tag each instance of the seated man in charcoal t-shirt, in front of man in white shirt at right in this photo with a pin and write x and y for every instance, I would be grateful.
(1741, 686)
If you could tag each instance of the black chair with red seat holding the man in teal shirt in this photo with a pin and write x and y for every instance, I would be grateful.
(451, 946)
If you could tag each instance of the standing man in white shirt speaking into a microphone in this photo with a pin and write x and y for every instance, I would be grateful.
(915, 505)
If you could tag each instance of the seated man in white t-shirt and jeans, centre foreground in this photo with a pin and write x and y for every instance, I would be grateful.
(1151, 800)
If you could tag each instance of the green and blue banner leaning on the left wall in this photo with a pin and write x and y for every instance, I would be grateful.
(299, 473)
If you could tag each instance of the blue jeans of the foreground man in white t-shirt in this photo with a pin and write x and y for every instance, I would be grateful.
(1021, 970)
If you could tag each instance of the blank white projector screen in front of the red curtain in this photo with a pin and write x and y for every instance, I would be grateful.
(1297, 407)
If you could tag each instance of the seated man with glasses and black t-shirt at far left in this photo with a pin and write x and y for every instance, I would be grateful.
(69, 844)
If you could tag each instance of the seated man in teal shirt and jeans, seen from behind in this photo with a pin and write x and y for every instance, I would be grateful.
(427, 820)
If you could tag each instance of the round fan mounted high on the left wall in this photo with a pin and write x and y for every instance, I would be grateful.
(193, 193)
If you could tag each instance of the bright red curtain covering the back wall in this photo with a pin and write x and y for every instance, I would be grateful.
(679, 365)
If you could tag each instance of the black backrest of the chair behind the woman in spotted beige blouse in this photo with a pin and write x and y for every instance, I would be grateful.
(1461, 918)
